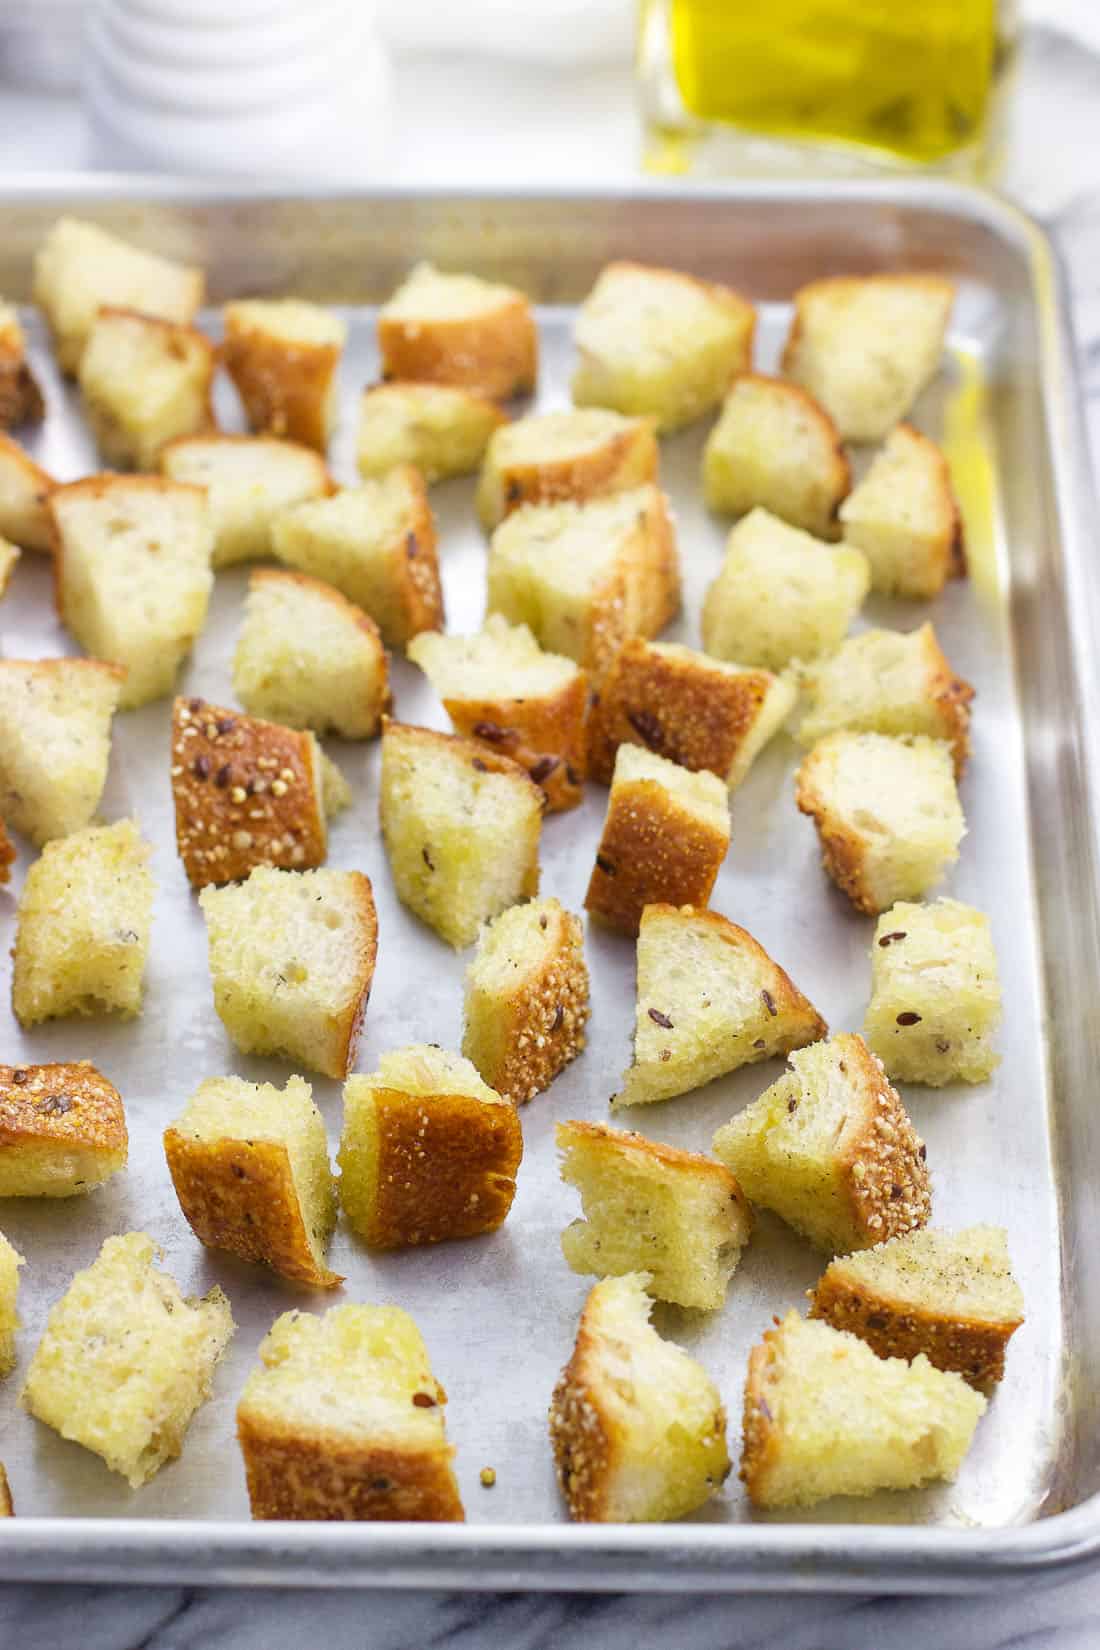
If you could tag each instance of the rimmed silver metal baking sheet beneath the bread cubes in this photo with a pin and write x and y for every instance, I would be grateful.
(499, 1314)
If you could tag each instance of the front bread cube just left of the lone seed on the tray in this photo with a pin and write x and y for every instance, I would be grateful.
(344, 1420)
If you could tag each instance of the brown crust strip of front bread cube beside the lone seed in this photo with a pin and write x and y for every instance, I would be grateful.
(324, 1476)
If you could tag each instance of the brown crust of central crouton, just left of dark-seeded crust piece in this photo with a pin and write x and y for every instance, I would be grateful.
(543, 735)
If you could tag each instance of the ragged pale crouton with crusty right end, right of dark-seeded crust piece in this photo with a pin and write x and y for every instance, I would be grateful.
(893, 684)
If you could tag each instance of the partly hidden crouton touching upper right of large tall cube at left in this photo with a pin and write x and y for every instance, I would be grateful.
(250, 481)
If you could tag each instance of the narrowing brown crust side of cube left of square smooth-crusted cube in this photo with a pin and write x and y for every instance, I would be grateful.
(240, 1195)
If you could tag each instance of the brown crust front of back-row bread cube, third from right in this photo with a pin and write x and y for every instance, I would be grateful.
(494, 354)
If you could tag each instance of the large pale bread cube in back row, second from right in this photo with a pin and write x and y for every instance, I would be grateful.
(660, 342)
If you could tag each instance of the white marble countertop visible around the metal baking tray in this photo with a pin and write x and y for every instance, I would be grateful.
(586, 131)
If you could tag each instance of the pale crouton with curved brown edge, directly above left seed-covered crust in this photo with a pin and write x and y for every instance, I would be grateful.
(308, 658)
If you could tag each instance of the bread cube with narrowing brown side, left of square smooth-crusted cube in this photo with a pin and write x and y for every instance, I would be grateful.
(250, 1164)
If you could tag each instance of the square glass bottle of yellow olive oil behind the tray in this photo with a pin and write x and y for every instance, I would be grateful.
(832, 85)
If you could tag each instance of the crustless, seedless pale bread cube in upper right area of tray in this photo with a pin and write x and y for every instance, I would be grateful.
(781, 595)
